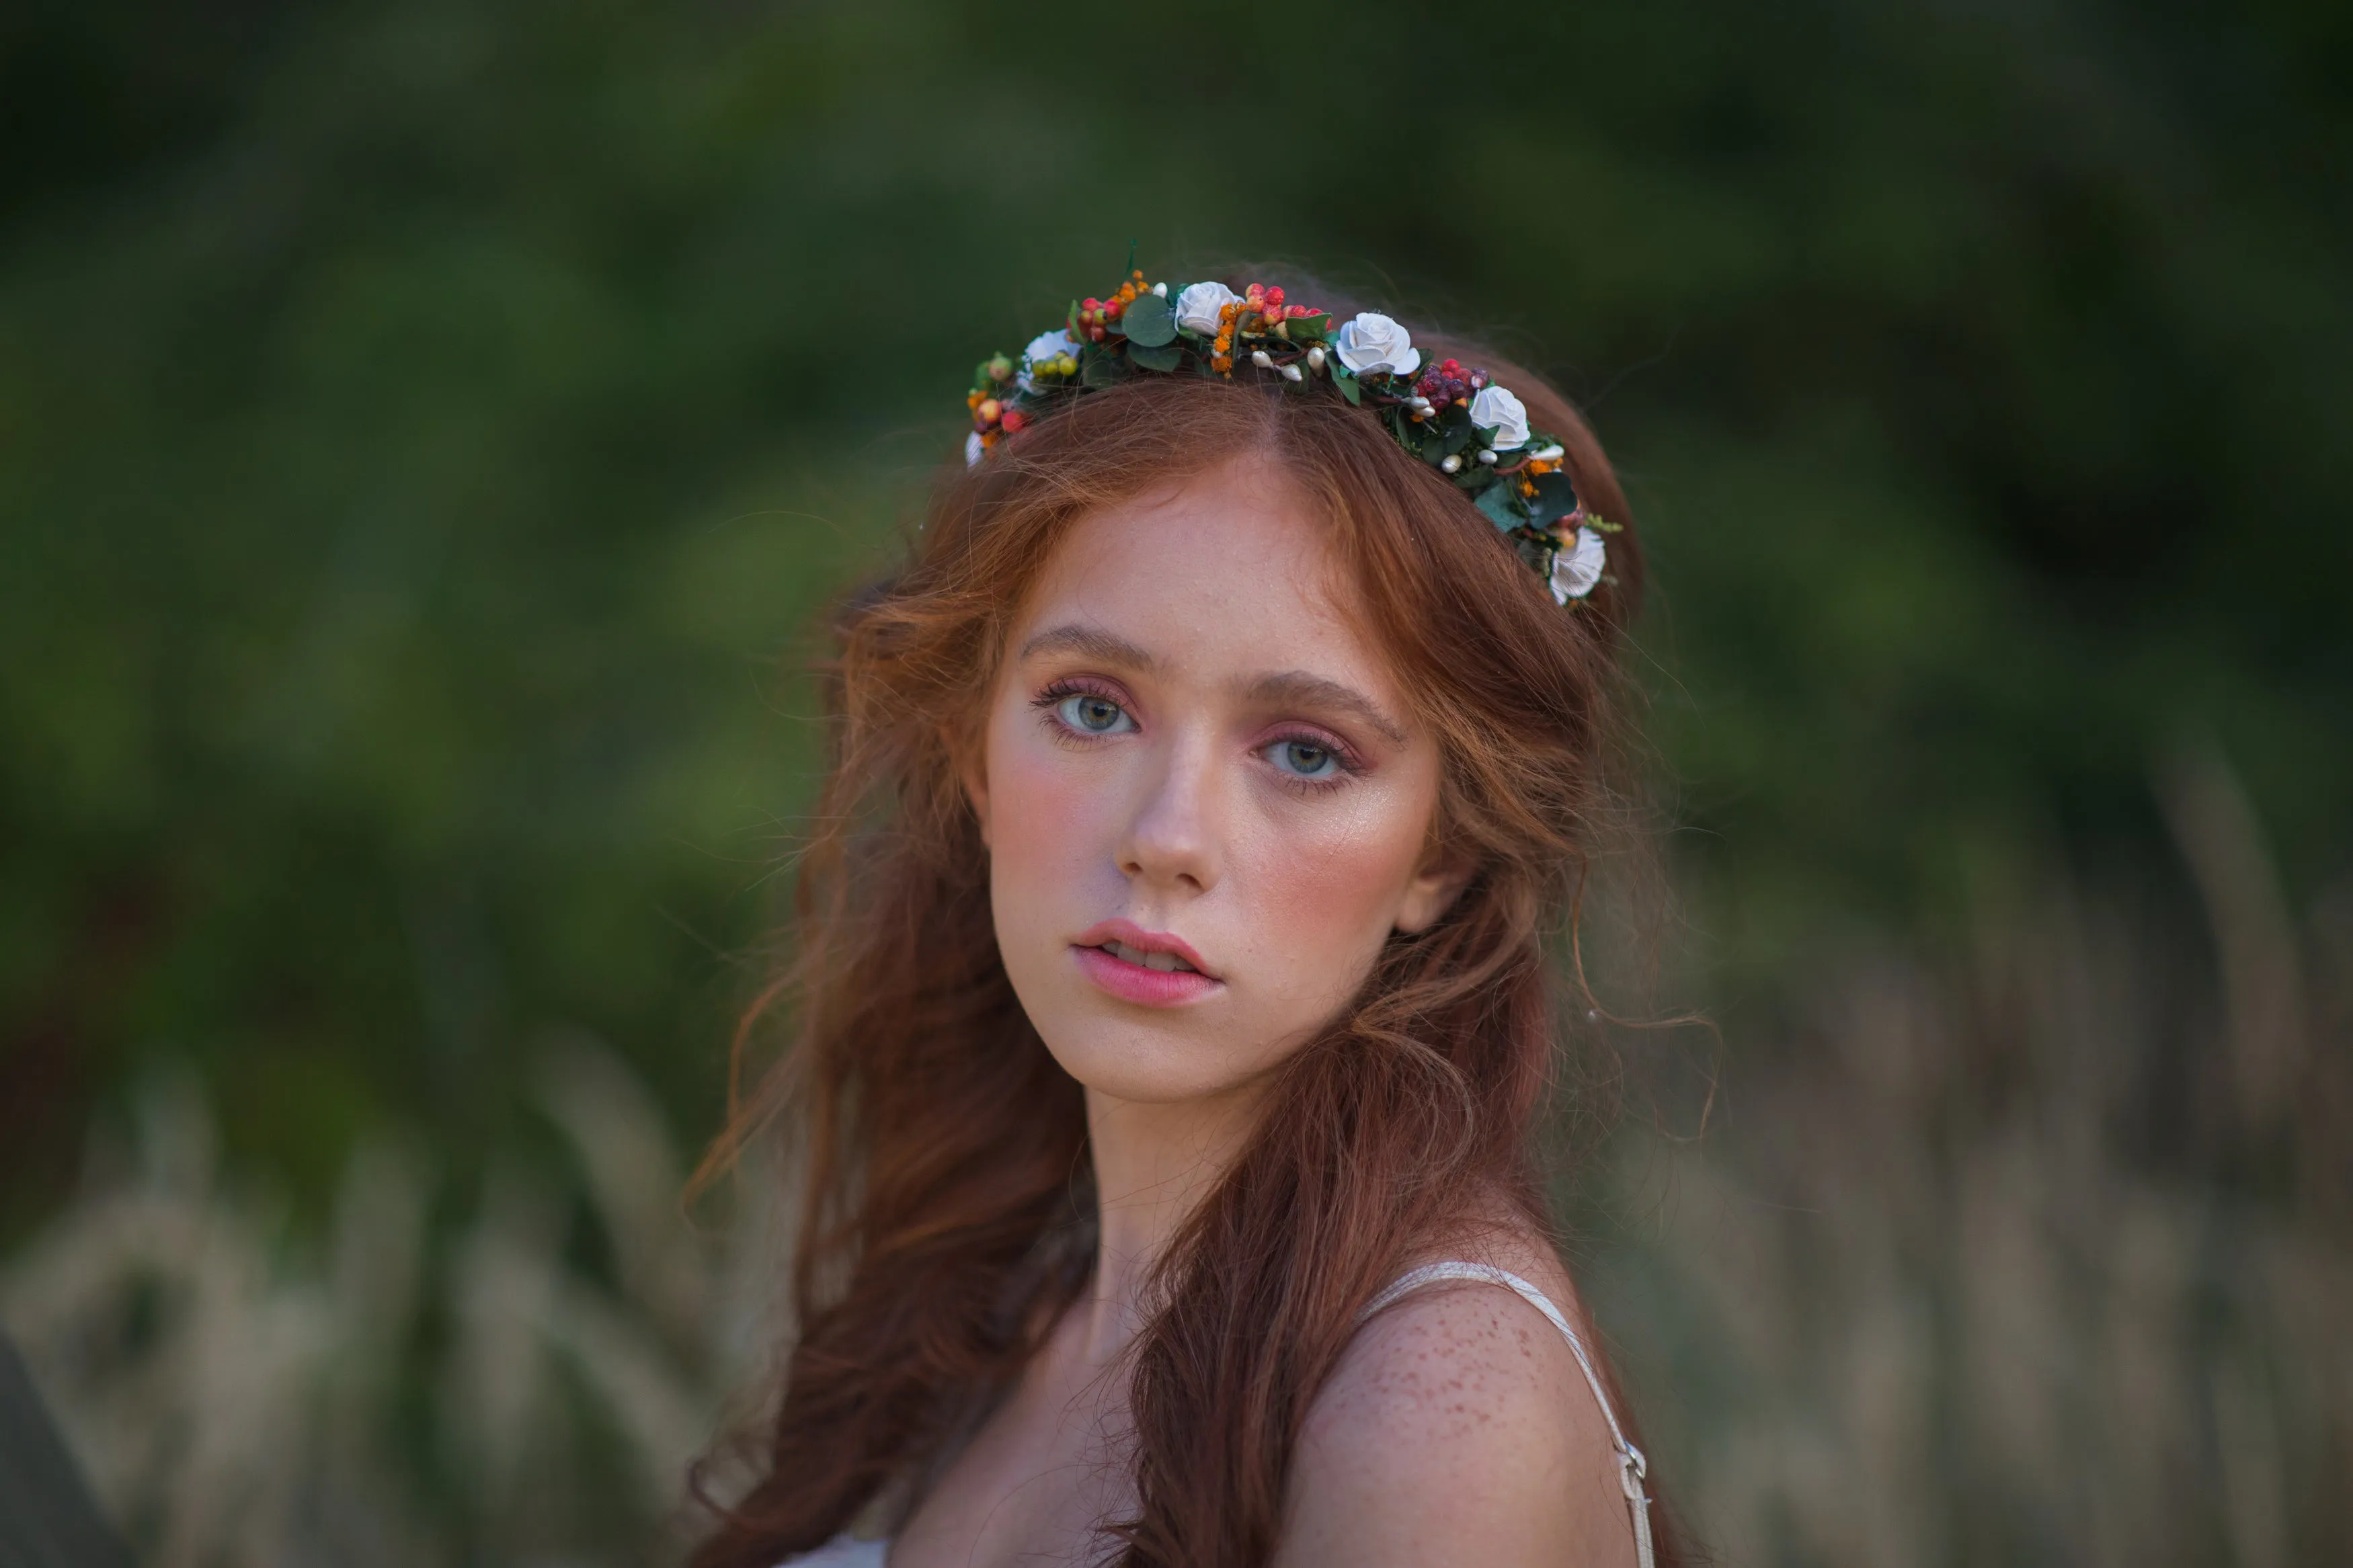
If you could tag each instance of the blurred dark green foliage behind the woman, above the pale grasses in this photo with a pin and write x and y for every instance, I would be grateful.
(432, 431)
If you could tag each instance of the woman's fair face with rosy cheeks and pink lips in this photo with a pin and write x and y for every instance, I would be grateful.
(1204, 796)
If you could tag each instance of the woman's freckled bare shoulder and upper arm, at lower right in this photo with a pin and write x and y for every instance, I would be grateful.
(1460, 1428)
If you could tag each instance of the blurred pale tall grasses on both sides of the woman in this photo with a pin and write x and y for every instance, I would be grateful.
(1921, 1296)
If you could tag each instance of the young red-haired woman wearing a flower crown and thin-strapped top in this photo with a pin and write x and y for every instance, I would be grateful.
(1175, 974)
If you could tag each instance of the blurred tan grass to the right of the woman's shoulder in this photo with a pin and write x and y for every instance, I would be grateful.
(2027, 1254)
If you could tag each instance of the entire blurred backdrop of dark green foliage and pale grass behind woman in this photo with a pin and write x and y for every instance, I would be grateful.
(427, 434)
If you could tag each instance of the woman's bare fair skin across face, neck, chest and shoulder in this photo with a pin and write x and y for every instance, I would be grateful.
(1208, 626)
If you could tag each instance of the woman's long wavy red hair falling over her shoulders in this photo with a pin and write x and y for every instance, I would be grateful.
(947, 1198)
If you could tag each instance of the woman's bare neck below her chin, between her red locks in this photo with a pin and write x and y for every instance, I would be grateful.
(1154, 1165)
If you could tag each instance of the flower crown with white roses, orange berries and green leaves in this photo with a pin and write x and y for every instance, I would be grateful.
(1453, 417)
